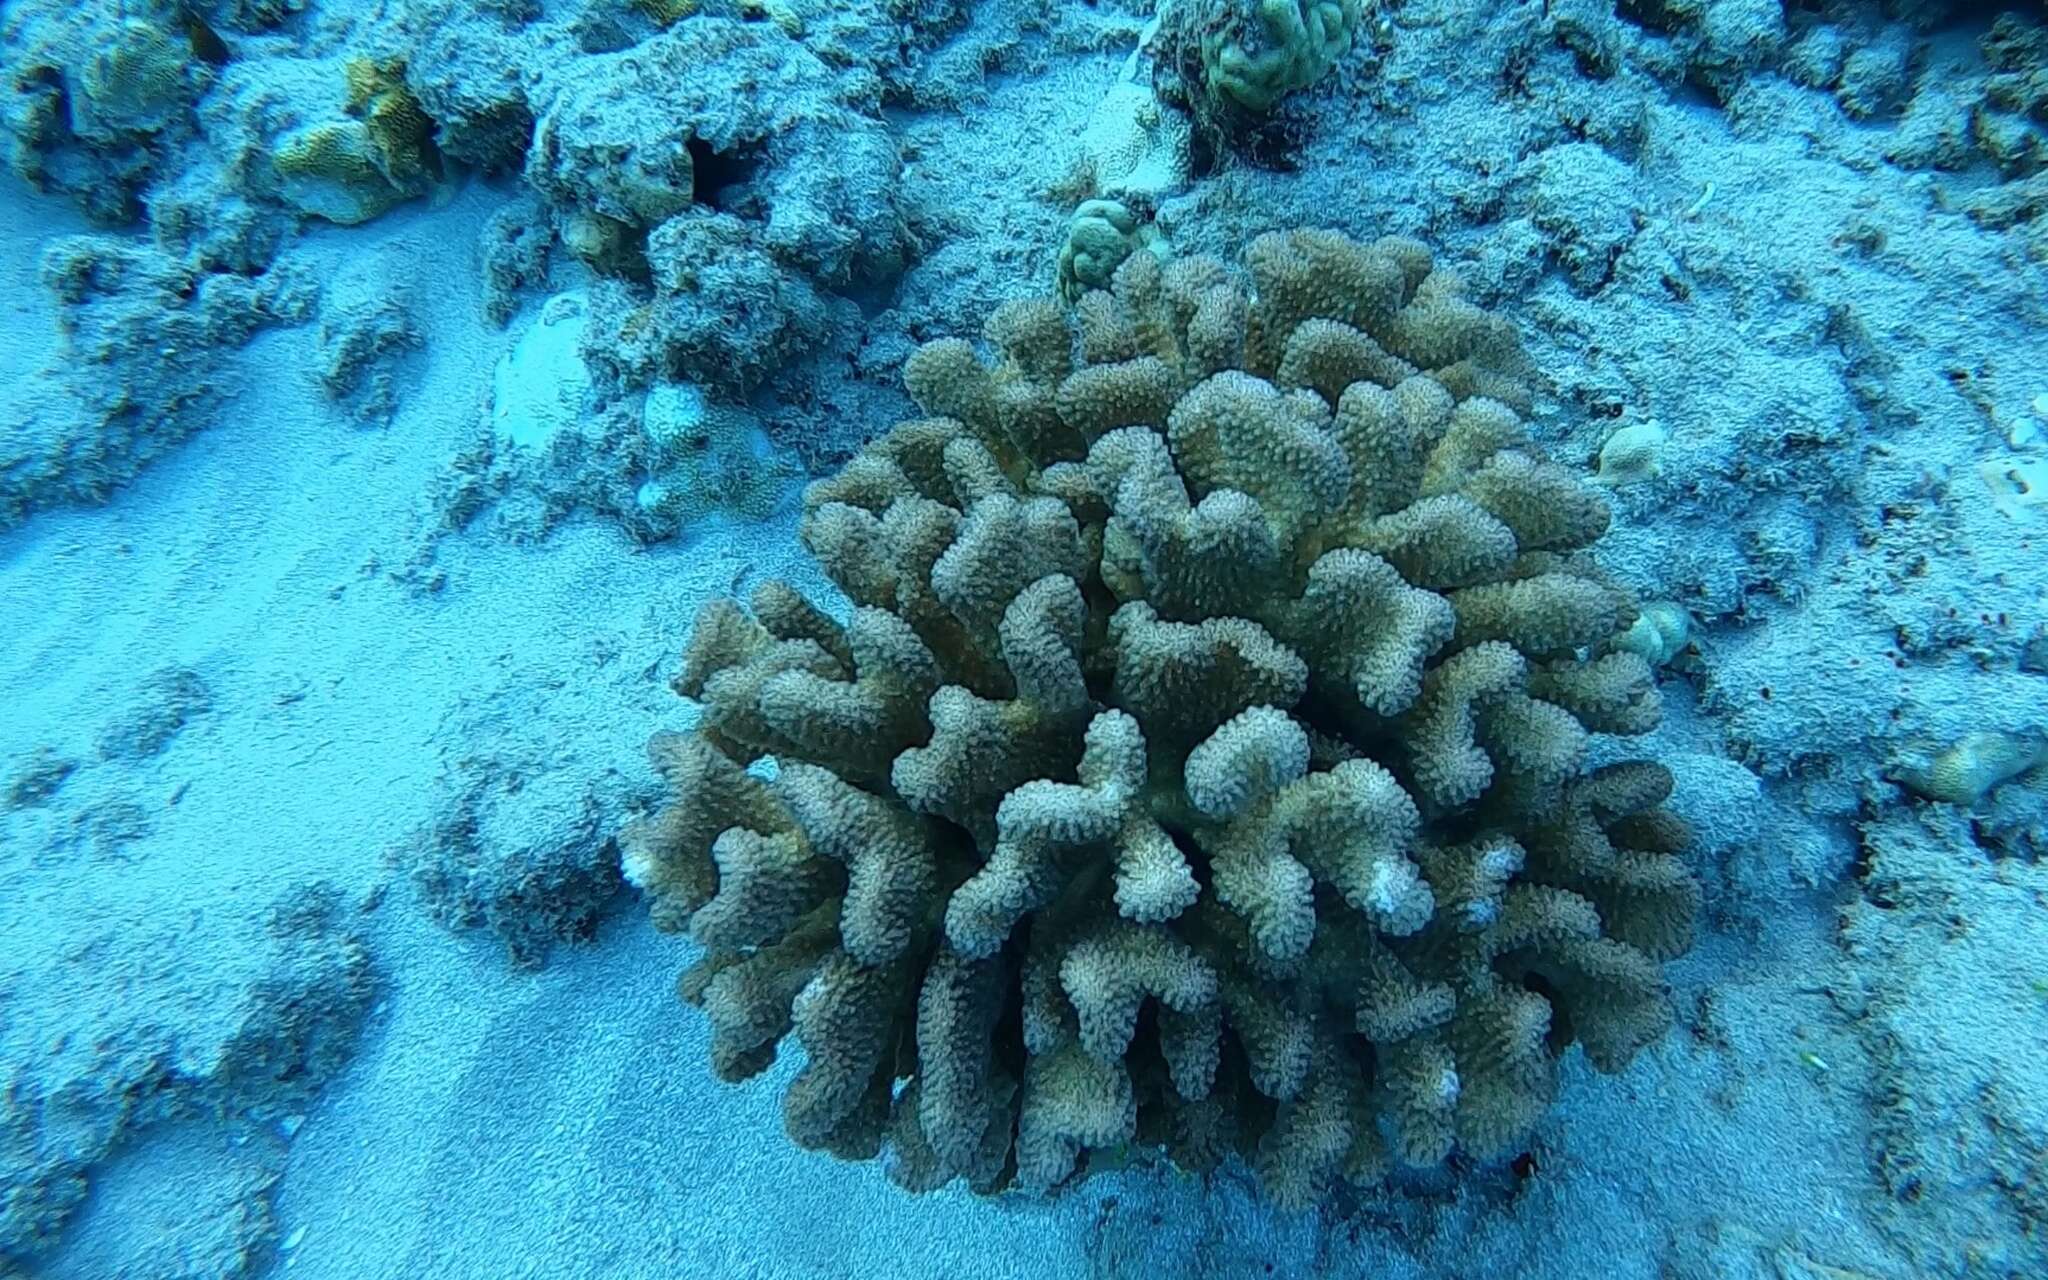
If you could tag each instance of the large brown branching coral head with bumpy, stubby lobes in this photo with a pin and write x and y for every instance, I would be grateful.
(1201, 763)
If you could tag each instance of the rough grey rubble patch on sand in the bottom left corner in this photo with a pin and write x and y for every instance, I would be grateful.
(124, 1056)
